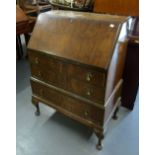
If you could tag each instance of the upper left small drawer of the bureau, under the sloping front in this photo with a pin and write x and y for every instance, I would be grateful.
(45, 61)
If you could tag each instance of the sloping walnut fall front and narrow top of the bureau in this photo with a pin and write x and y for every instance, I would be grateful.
(85, 38)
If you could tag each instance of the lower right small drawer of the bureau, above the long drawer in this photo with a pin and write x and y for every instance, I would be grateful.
(86, 90)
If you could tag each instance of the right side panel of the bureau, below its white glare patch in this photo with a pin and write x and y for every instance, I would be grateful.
(114, 79)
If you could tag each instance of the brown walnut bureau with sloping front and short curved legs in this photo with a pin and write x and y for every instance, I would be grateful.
(76, 62)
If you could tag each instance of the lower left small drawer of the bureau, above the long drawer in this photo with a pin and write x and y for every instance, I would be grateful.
(47, 75)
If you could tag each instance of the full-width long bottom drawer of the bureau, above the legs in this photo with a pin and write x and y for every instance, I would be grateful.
(67, 103)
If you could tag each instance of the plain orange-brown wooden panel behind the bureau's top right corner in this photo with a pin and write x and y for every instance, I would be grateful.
(118, 7)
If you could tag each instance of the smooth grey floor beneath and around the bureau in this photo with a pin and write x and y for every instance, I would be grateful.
(53, 134)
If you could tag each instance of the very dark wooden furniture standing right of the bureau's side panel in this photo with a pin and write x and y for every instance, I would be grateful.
(131, 69)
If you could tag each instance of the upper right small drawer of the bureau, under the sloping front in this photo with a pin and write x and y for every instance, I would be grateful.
(84, 74)
